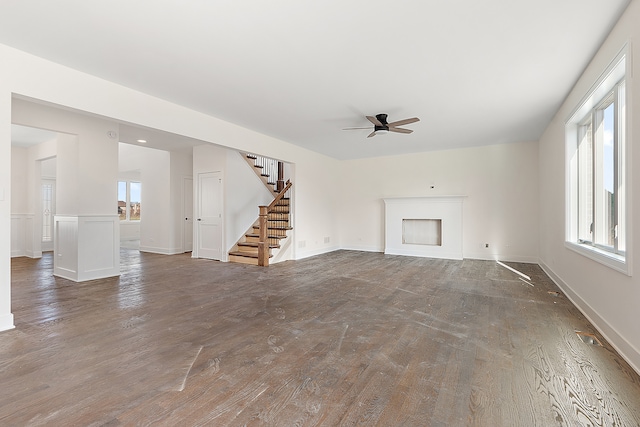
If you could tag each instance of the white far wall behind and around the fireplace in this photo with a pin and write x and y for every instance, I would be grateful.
(500, 182)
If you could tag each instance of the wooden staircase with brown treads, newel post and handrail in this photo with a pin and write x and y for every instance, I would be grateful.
(269, 231)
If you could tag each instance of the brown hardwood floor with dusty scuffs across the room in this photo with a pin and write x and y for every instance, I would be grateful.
(346, 338)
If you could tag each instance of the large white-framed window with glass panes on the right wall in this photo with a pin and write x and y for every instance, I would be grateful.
(596, 190)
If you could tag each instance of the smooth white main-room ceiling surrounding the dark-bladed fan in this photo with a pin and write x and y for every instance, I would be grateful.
(475, 72)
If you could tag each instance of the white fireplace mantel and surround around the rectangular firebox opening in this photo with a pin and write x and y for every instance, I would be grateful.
(447, 210)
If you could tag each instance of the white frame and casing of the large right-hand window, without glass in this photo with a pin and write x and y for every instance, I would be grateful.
(615, 73)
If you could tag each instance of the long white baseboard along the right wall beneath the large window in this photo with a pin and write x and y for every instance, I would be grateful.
(626, 350)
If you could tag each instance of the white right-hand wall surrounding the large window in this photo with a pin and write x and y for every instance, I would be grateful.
(608, 298)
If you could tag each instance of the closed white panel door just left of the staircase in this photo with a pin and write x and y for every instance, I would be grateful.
(209, 218)
